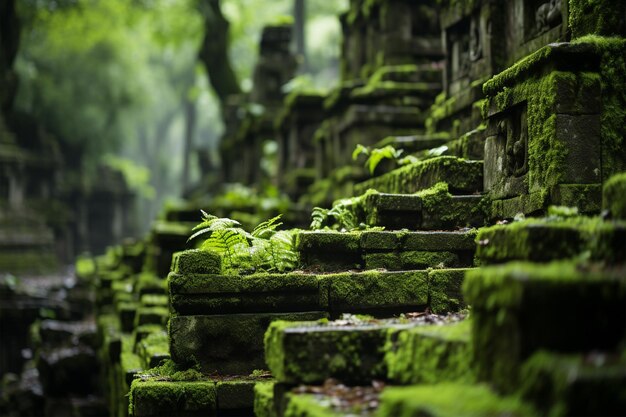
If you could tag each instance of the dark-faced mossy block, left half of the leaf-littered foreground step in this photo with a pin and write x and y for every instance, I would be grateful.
(308, 353)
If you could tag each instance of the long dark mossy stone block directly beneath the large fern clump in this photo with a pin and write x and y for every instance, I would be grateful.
(257, 293)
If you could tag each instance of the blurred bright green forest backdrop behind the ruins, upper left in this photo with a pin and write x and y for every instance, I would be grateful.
(118, 82)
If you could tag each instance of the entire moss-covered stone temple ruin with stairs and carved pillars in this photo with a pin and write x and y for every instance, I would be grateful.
(486, 278)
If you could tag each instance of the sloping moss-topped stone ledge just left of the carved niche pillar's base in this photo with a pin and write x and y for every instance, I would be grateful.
(462, 176)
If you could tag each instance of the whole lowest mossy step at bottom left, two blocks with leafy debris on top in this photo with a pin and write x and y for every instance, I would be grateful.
(192, 394)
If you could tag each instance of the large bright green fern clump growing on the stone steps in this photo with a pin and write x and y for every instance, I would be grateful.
(265, 249)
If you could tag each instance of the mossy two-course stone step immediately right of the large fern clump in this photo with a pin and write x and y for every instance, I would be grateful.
(332, 251)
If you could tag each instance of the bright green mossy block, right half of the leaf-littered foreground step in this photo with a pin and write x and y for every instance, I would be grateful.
(431, 354)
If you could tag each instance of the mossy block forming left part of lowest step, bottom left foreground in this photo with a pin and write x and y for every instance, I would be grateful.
(152, 398)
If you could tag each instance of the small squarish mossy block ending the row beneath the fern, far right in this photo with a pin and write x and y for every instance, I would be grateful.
(445, 293)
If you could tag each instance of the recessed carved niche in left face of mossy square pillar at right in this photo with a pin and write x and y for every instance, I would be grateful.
(506, 153)
